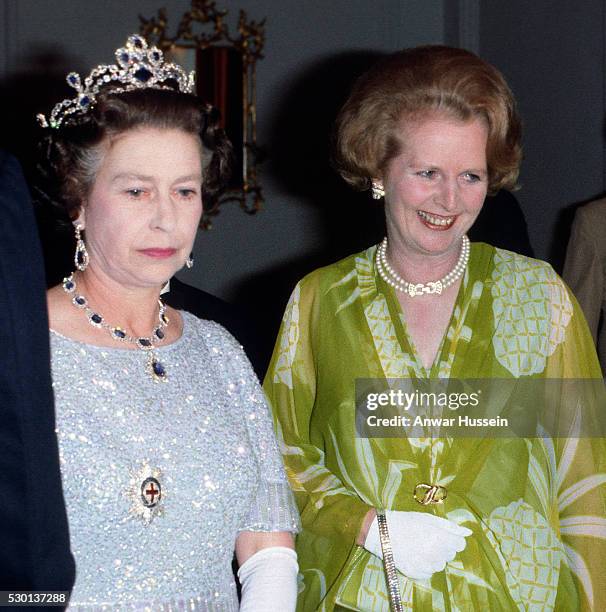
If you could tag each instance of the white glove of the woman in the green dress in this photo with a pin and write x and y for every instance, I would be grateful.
(422, 544)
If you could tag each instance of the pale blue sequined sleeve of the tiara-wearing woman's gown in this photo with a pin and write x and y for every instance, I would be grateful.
(273, 508)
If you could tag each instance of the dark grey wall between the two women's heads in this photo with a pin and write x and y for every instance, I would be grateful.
(313, 51)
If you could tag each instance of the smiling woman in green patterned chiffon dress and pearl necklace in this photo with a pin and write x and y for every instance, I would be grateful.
(486, 522)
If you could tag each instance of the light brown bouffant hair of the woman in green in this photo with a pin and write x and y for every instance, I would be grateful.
(409, 85)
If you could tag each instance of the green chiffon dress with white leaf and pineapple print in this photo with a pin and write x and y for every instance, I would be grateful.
(536, 506)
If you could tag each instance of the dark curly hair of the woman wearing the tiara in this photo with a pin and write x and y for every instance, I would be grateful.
(69, 156)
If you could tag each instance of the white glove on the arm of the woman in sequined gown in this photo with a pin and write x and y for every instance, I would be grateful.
(269, 580)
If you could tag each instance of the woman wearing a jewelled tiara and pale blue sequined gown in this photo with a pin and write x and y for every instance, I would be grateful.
(168, 458)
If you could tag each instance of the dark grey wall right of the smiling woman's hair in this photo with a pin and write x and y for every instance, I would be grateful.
(552, 54)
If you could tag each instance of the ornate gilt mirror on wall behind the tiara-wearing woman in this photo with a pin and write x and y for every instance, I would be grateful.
(225, 68)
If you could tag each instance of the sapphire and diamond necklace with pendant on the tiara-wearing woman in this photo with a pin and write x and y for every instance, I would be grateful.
(146, 343)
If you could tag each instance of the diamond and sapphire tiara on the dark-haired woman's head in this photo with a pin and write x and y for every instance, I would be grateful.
(138, 67)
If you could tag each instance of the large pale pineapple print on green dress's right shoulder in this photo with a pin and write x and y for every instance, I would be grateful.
(533, 308)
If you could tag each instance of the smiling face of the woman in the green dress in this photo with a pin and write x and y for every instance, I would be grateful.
(436, 186)
